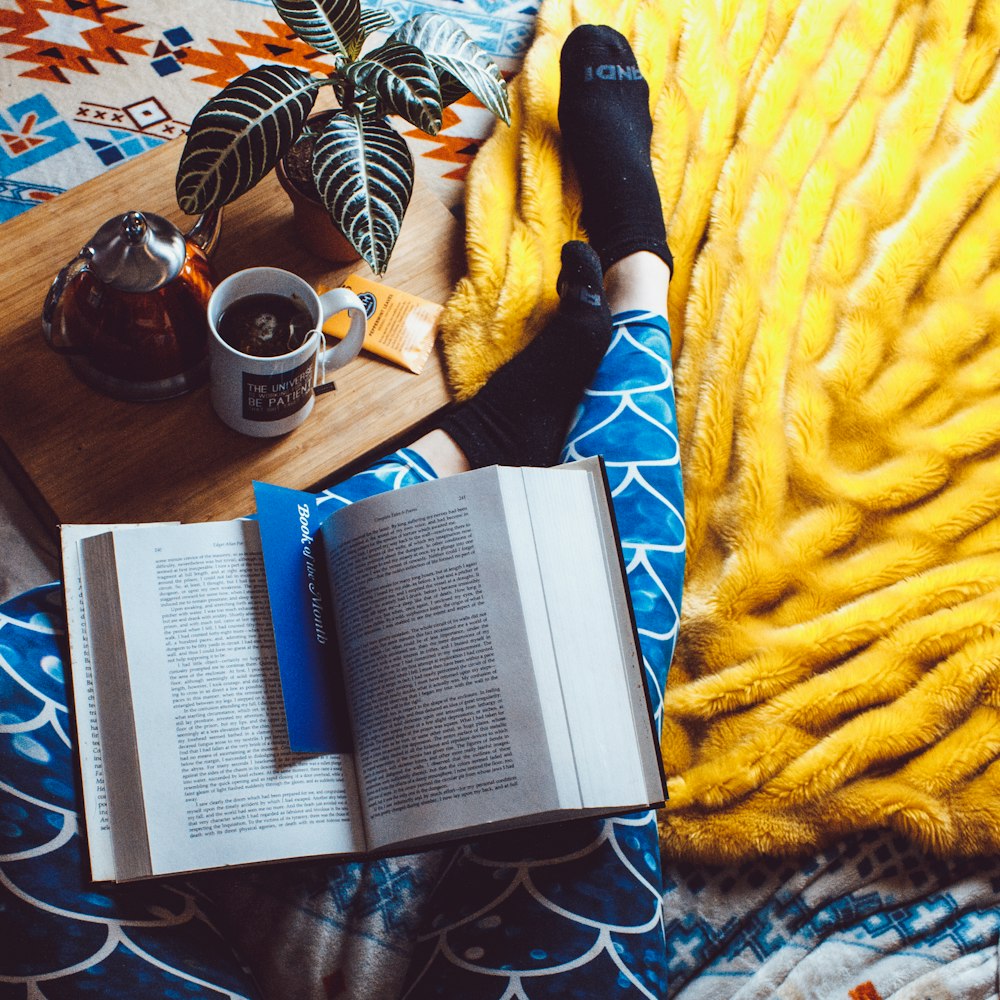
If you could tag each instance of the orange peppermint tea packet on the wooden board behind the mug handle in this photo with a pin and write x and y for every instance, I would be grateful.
(401, 326)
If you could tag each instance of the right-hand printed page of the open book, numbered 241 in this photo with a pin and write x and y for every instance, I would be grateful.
(446, 714)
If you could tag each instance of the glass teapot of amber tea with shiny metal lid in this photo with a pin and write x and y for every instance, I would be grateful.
(129, 311)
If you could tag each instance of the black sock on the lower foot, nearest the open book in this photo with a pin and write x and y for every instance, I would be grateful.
(521, 415)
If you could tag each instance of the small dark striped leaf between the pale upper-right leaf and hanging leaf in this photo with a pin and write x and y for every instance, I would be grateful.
(402, 78)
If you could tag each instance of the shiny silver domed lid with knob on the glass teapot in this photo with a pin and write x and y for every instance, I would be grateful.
(137, 252)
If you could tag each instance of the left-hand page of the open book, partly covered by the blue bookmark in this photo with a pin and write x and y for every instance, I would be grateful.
(220, 785)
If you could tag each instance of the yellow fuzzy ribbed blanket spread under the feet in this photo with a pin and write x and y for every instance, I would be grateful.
(829, 173)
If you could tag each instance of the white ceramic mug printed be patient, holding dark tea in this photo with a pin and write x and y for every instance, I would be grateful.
(268, 396)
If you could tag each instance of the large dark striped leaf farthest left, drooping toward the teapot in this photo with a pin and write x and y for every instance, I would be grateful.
(241, 133)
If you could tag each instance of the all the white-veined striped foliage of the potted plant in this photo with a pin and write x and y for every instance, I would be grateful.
(361, 168)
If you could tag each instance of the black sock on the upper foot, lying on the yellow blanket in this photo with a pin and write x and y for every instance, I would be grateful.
(606, 129)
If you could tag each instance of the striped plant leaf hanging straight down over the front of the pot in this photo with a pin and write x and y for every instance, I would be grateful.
(364, 174)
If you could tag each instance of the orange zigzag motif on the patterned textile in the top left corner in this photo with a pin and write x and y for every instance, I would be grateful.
(59, 36)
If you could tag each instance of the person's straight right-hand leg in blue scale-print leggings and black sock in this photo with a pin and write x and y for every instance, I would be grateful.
(575, 909)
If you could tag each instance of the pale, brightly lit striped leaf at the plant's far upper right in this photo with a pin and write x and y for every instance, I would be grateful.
(458, 61)
